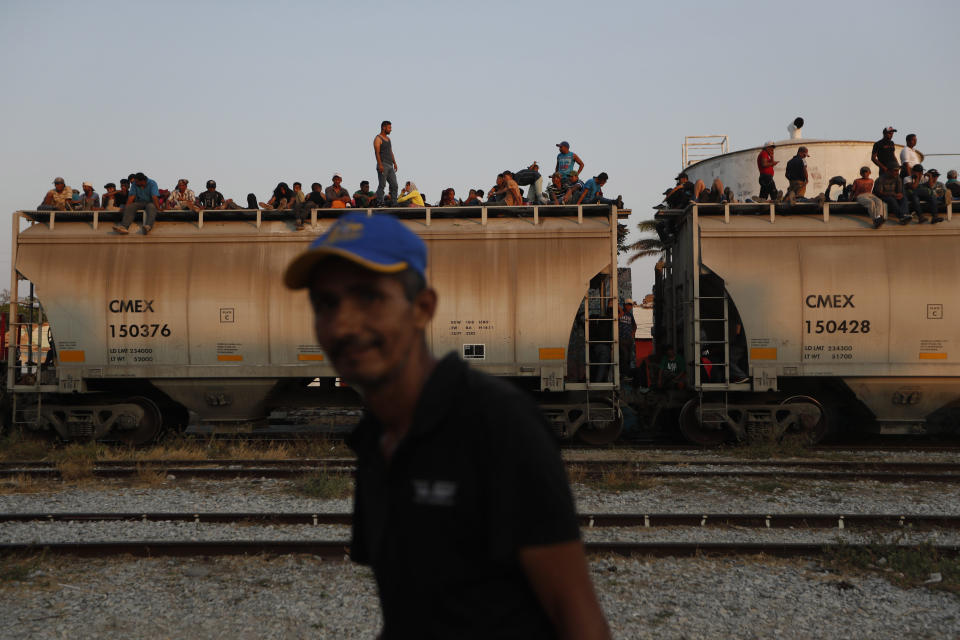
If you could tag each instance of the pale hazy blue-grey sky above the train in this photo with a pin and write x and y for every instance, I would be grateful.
(252, 93)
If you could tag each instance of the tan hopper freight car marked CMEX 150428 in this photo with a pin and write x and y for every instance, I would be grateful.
(829, 321)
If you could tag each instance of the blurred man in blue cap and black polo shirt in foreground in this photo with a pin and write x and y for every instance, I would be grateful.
(461, 505)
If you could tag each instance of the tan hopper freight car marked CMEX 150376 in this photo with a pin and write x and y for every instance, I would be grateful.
(192, 324)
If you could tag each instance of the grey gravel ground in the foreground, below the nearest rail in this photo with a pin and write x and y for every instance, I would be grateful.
(300, 597)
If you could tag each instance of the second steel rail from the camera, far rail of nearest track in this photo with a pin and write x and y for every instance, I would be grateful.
(915, 522)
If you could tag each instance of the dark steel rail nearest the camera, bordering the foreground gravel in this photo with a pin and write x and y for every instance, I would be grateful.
(340, 549)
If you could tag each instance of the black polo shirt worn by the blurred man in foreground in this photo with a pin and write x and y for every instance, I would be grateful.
(477, 478)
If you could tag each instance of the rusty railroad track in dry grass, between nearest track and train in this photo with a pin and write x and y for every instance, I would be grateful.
(678, 469)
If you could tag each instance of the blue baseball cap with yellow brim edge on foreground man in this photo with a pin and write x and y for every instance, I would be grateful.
(379, 242)
